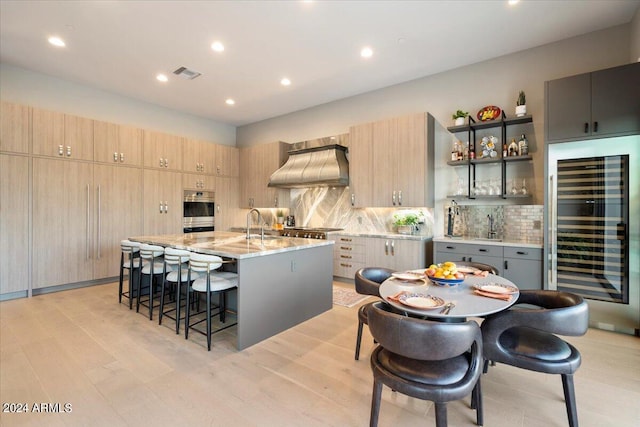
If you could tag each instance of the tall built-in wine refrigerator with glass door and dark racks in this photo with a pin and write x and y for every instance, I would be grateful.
(592, 220)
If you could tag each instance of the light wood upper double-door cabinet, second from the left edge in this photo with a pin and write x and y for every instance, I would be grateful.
(62, 135)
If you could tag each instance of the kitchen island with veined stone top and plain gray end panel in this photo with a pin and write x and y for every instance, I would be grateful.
(282, 281)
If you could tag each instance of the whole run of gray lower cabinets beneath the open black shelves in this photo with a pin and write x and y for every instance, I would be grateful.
(521, 265)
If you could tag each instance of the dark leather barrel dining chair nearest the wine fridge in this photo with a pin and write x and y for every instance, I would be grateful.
(525, 337)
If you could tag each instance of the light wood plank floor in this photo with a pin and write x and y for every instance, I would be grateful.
(117, 368)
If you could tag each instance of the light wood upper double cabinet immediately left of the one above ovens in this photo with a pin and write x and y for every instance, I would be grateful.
(162, 151)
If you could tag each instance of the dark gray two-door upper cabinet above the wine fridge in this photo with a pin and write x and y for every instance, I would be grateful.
(593, 105)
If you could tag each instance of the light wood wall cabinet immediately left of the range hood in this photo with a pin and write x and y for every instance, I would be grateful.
(257, 163)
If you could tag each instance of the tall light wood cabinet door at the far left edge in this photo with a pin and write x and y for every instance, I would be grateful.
(14, 223)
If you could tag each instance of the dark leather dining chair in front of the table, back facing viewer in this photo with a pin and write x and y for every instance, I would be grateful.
(428, 360)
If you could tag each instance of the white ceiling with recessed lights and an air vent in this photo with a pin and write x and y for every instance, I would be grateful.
(120, 46)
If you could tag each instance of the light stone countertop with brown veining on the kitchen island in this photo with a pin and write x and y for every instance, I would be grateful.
(231, 245)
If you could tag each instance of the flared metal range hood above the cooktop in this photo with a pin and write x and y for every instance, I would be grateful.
(315, 163)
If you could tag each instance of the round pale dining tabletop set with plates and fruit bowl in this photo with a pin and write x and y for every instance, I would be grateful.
(466, 302)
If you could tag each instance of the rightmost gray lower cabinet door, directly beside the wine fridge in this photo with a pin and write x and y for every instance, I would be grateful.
(523, 266)
